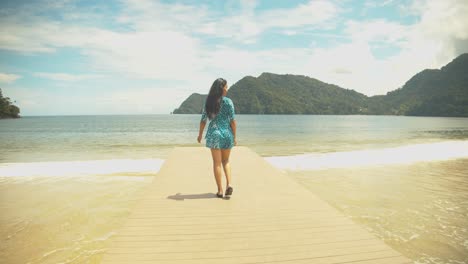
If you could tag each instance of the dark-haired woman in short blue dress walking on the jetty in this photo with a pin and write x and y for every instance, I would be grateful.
(221, 134)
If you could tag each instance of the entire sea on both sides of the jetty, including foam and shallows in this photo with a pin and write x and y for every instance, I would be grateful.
(67, 183)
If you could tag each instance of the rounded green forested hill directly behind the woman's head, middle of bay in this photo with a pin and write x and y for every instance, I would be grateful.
(284, 94)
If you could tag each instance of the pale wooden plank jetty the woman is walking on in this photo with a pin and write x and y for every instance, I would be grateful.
(270, 218)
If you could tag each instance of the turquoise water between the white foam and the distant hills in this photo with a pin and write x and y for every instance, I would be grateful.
(60, 138)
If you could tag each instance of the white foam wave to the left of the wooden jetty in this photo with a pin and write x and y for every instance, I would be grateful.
(80, 168)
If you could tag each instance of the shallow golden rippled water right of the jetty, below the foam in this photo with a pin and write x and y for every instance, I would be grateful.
(421, 210)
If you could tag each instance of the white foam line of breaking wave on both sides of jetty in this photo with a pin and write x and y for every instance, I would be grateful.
(312, 161)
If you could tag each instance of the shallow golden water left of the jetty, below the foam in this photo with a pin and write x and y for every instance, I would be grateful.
(63, 219)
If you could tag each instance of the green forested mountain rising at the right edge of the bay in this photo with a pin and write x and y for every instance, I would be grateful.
(431, 92)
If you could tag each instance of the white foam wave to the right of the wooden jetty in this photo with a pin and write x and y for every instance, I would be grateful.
(398, 155)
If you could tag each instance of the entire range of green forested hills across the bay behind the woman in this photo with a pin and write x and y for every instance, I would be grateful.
(434, 92)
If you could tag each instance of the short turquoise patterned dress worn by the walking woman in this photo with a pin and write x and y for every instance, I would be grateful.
(219, 134)
